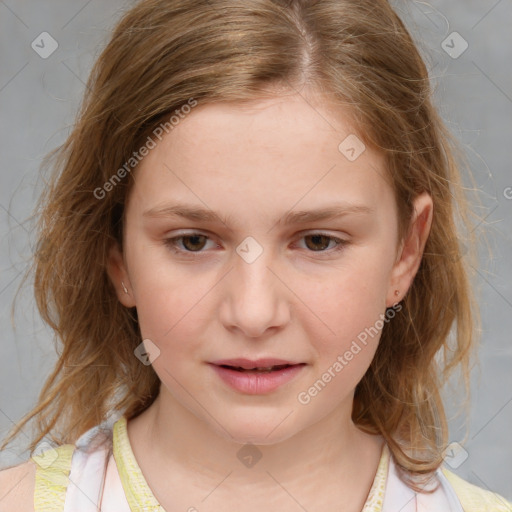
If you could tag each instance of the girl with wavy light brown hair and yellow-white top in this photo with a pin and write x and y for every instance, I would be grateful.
(249, 254)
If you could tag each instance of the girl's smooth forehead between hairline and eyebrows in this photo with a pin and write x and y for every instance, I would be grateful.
(268, 154)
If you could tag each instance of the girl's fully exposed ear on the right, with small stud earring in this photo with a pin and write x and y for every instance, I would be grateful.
(411, 249)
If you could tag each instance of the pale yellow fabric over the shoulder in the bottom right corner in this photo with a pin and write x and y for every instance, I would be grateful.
(474, 498)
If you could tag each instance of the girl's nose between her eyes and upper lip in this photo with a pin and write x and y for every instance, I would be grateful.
(255, 300)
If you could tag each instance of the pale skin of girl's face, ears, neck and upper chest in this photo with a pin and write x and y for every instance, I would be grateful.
(251, 166)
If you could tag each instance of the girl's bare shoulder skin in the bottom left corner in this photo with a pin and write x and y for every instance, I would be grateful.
(17, 485)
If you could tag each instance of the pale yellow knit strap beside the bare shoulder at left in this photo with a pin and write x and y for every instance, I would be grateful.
(52, 477)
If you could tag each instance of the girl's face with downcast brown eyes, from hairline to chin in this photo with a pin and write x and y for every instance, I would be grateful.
(228, 259)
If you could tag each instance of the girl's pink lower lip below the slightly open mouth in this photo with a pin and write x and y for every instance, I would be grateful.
(257, 383)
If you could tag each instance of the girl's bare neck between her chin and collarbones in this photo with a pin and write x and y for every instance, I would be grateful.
(169, 437)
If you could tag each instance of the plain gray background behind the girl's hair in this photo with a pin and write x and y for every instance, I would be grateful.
(38, 102)
